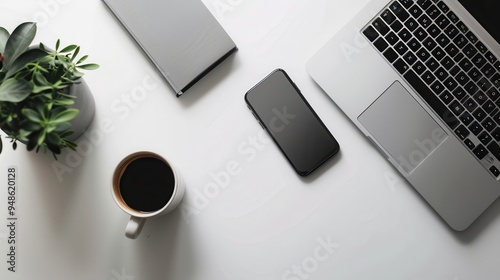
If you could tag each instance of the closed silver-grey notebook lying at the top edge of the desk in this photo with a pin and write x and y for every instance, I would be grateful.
(181, 37)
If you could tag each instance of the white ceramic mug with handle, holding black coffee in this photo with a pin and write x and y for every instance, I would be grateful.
(138, 217)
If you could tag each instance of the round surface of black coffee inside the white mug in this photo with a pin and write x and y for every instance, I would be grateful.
(147, 184)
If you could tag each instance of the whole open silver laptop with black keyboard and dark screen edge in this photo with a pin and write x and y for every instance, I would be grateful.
(421, 80)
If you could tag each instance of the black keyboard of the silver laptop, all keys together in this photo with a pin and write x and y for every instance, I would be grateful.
(448, 66)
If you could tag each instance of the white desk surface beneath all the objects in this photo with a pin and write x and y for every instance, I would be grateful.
(355, 218)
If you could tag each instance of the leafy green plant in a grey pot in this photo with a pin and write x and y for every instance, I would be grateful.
(41, 92)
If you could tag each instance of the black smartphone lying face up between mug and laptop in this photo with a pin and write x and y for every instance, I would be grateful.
(281, 109)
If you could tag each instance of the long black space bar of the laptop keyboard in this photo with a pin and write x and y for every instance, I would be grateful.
(433, 101)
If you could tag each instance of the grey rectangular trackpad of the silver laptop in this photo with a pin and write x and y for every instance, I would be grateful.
(403, 128)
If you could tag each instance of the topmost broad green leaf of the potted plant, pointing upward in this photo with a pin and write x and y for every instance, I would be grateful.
(18, 42)
